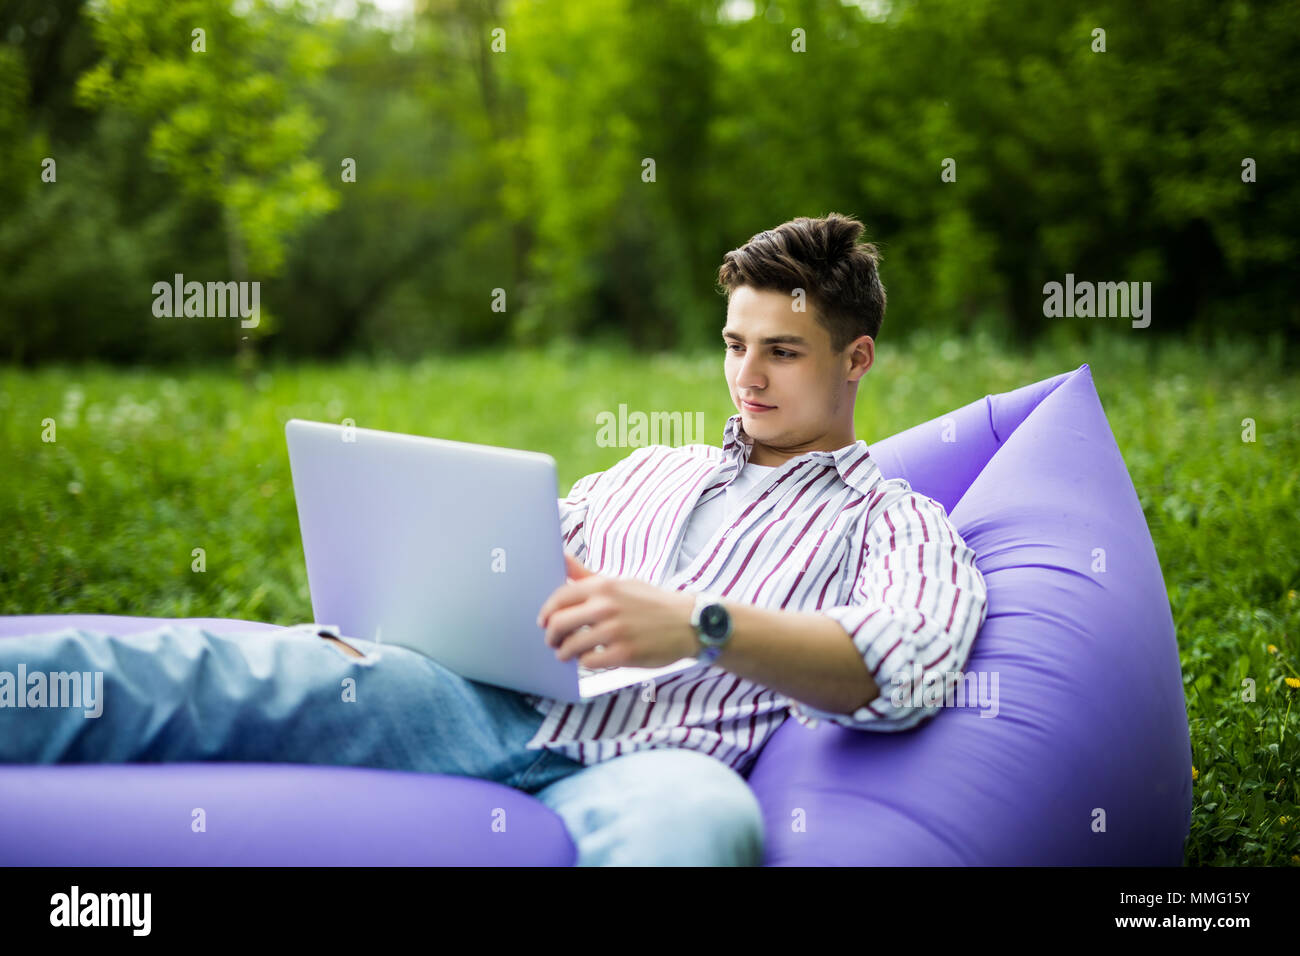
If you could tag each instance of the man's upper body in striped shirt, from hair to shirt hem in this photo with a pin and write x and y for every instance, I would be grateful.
(837, 585)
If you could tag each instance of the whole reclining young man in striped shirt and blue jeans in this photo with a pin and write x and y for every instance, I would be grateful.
(805, 583)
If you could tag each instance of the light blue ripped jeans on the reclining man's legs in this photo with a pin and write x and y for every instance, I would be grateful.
(187, 694)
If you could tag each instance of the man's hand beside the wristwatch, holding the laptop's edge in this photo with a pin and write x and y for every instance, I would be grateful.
(638, 624)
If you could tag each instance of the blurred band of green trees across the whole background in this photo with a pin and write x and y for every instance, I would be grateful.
(505, 146)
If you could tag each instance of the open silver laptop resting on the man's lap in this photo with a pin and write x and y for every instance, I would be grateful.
(443, 547)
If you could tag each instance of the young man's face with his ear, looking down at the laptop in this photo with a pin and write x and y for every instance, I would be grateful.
(811, 391)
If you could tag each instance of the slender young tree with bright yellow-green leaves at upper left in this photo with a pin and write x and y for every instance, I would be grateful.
(222, 90)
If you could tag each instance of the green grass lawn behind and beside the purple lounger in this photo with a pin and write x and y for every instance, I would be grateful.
(150, 465)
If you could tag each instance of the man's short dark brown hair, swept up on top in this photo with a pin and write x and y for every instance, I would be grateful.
(825, 259)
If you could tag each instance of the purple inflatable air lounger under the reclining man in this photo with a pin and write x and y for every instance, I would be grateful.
(1082, 759)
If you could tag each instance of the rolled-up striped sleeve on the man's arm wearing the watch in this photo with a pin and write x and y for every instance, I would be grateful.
(917, 605)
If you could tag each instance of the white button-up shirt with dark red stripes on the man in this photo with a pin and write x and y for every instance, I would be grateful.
(824, 533)
